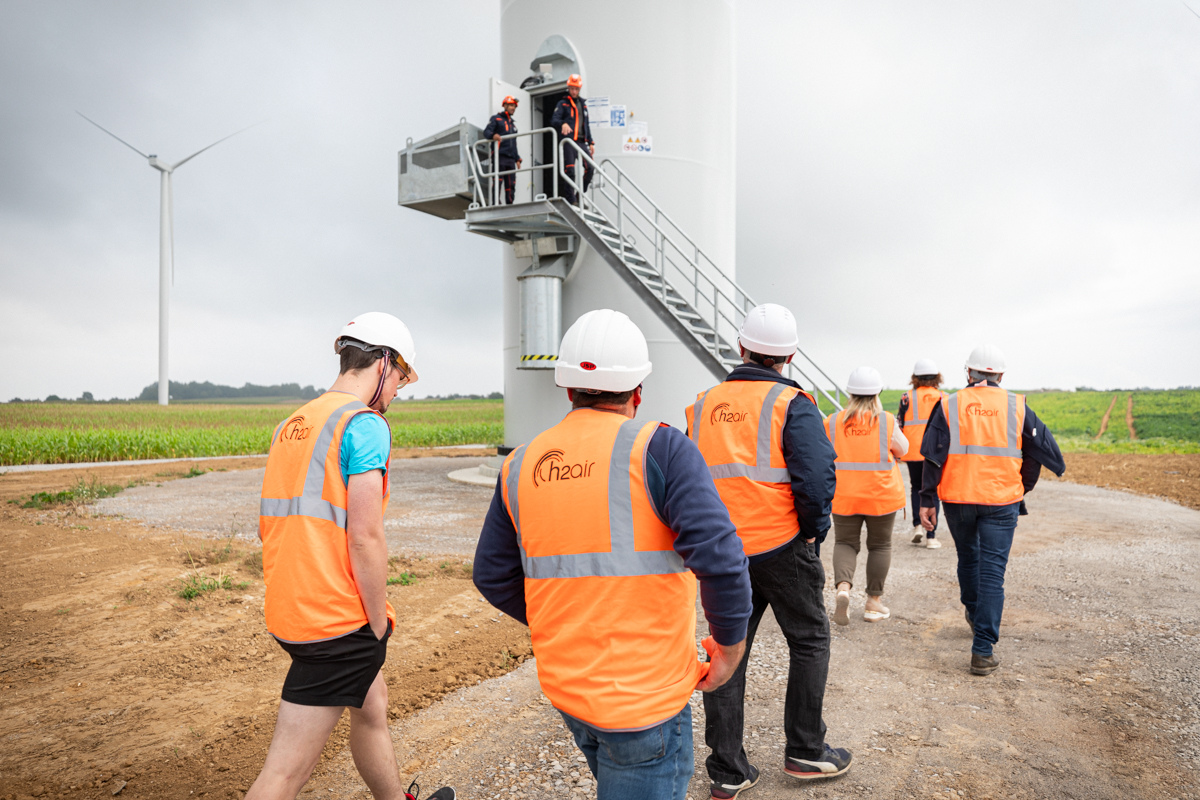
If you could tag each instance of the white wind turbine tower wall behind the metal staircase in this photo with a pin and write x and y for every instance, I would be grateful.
(673, 65)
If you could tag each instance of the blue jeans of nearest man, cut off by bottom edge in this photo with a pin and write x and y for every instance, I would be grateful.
(652, 765)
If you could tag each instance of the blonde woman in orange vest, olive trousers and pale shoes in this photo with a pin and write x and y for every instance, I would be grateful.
(871, 491)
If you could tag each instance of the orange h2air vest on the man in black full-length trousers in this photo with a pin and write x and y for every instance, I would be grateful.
(739, 426)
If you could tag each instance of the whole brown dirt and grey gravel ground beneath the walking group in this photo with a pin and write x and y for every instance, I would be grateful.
(110, 681)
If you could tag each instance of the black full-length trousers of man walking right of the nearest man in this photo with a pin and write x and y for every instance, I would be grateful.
(791, 582)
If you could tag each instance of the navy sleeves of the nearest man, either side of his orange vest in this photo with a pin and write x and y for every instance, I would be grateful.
(686, 500)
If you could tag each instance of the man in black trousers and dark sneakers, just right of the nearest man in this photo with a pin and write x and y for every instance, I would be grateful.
(763, 440)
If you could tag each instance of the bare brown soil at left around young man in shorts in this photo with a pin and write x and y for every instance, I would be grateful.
(109, 679)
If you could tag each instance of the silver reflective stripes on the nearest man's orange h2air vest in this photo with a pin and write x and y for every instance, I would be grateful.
(622, 561)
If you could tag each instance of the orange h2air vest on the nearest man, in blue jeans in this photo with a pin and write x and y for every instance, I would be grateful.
(611, 606)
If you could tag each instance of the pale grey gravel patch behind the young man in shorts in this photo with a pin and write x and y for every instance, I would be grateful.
(428, 513)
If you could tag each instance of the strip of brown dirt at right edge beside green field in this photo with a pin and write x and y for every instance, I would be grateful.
(1174, 478)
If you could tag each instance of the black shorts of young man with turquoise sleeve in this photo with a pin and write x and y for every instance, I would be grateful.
(335, 672)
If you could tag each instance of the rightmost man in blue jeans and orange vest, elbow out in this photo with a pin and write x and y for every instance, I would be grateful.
(985, 450)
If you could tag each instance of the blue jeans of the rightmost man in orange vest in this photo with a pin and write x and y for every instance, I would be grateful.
(983, 537)
